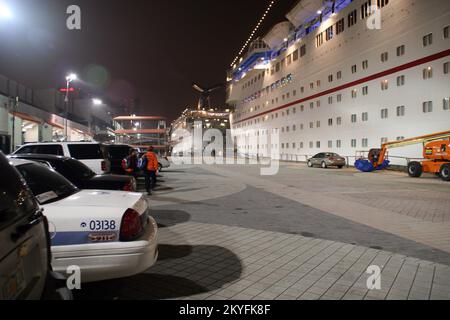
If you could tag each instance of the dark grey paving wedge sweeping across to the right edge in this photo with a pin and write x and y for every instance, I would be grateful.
(257, 209)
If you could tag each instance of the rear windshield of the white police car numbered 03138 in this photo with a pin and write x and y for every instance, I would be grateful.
(47, 185)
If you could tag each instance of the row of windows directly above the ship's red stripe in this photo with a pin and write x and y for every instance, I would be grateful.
(401, 50)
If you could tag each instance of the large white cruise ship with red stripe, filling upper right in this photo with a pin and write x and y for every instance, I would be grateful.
(345, 76)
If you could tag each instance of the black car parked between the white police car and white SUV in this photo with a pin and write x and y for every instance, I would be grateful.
(81, 175)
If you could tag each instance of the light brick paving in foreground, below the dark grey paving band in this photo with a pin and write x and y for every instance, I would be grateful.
(205, 261)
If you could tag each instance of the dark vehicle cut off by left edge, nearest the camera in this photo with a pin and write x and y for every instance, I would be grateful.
(25, 270)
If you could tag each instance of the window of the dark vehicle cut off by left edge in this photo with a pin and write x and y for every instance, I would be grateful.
(16, 200)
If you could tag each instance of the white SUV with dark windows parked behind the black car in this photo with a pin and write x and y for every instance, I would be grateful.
(89, 153)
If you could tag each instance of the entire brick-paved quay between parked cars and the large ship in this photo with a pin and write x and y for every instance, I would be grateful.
(228, 233)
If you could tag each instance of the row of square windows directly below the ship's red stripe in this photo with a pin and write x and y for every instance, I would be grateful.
(401, 80)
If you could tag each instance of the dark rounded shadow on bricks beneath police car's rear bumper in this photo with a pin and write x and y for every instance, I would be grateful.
(181, 271)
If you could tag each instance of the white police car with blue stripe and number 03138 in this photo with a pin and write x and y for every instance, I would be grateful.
(107, 234)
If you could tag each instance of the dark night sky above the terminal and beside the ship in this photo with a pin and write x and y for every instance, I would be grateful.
(150, 50)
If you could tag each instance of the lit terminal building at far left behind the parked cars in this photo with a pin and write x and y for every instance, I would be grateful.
(28, 115)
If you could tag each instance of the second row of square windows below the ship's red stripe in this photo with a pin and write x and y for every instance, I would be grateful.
(427, 107)
